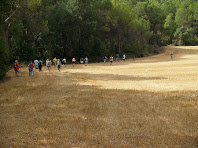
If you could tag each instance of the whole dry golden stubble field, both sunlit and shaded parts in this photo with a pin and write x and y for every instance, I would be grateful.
(152, 102)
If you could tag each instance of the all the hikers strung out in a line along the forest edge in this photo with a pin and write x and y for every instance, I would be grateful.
(57, 62)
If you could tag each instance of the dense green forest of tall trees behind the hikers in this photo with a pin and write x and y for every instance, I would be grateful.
(41, 29)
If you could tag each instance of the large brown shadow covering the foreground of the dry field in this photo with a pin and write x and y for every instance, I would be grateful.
(49, 111)
